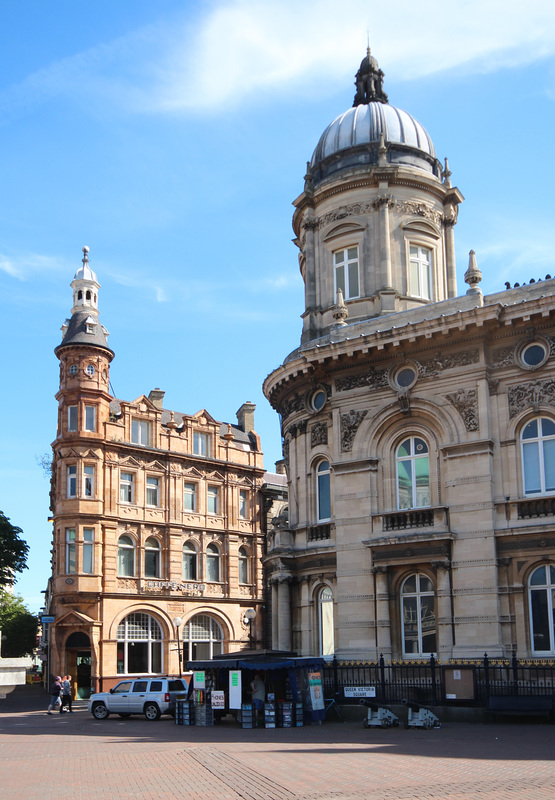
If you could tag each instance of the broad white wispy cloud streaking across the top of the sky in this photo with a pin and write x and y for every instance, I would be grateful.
(242, 49)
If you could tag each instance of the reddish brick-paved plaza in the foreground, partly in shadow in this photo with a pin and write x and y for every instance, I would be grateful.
(73, 756)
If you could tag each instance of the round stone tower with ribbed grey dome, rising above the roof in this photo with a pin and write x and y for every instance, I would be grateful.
(375, 220)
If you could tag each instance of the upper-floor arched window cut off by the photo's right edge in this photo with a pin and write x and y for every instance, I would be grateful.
(538, 456)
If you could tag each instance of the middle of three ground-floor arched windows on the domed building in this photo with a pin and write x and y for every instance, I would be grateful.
(419, 618)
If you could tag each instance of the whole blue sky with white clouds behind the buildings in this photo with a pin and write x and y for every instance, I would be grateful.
(172, 137)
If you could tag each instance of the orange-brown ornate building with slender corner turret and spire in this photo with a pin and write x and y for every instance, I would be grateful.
(157, 520)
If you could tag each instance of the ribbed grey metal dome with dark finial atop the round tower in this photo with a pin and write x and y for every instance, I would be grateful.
(353, 138)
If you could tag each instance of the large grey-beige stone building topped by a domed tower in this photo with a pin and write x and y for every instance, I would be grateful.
(418, 426)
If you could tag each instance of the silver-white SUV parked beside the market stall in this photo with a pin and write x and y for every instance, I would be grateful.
(149, 696)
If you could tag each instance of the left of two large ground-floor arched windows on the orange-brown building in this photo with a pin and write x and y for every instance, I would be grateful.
(139, 645)
